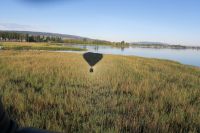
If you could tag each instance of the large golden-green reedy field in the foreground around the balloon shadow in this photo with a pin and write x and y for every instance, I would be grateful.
(55, 91)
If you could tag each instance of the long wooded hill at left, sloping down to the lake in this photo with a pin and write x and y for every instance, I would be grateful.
(54, 37)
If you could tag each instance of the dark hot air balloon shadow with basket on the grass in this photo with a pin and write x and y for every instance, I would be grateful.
(92, 59)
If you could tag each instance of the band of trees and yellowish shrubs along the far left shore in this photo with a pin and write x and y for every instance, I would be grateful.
(6, 36)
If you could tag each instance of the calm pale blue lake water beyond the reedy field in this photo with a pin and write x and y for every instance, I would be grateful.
(184, 56)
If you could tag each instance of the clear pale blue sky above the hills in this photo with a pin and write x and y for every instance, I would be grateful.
(167, 21)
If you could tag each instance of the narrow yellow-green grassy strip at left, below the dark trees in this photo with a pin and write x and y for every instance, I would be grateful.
(36, 46)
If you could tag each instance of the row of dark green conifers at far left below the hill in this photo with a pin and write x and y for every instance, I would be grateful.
(20, 37)
